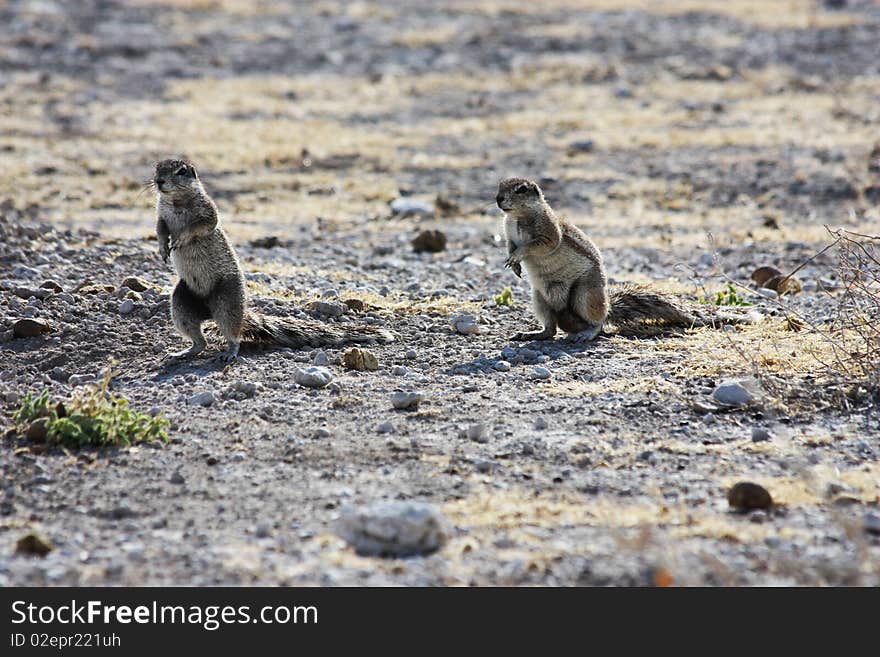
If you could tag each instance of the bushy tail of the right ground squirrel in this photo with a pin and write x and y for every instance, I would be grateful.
(634, 306)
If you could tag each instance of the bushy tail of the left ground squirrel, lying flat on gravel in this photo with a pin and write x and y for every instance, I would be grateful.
(289, 332)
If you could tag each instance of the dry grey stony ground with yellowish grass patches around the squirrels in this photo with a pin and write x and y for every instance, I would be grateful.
(725, 135)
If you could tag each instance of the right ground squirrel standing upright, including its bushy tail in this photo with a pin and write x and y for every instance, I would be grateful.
(569, 285)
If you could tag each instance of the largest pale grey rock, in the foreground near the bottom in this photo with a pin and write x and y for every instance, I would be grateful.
(394, 529)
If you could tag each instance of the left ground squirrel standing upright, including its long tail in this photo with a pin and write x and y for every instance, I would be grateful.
(212, 285)
